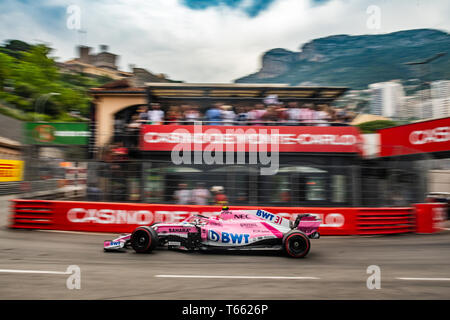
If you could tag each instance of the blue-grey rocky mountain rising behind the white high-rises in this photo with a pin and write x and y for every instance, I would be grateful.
(357, 61)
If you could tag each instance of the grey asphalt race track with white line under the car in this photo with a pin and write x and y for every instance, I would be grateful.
(33, 266)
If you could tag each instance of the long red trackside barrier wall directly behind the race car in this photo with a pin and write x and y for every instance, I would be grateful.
(124, 217)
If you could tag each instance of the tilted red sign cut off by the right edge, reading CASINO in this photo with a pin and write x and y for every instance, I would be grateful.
(421, 137)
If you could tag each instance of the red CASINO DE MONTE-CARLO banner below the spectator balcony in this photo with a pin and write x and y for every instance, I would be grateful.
(251, 138)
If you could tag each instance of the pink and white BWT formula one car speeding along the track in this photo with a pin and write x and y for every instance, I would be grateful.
(230, 230)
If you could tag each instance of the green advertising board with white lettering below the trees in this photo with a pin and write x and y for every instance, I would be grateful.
(49, 133)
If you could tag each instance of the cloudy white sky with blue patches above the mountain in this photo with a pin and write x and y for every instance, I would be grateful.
(206, 40)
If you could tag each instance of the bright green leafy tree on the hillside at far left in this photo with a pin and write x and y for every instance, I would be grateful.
(27, 78)
